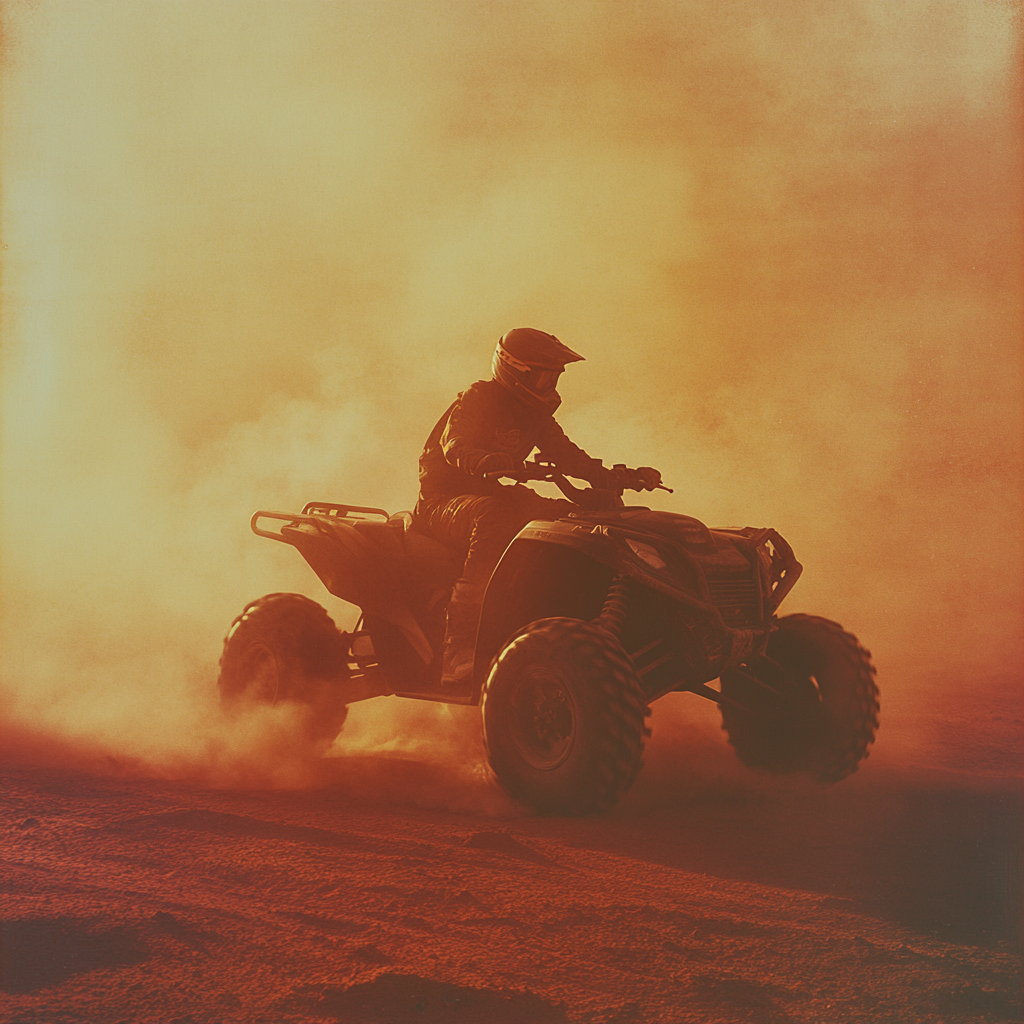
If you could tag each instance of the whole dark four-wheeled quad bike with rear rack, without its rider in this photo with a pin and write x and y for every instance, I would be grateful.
(586, 622)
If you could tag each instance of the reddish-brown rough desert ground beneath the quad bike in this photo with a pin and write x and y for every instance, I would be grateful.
(396, 887)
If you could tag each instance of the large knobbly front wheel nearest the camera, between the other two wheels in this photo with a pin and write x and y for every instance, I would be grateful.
(564, 717)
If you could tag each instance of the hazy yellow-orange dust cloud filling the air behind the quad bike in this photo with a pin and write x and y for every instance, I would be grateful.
(252, 251)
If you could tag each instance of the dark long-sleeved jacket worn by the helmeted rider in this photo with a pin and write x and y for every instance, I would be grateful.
(486, 419)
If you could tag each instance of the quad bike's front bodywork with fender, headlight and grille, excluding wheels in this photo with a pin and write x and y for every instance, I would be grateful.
(700, 600)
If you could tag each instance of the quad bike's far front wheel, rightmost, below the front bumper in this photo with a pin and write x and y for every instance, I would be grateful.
(829, 712)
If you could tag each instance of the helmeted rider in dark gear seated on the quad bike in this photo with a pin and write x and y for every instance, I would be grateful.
(492, 429)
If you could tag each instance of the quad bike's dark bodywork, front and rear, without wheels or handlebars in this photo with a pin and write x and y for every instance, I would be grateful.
(700, 600)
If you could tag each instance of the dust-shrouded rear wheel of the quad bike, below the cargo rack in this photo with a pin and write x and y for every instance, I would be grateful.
(285, 648)
